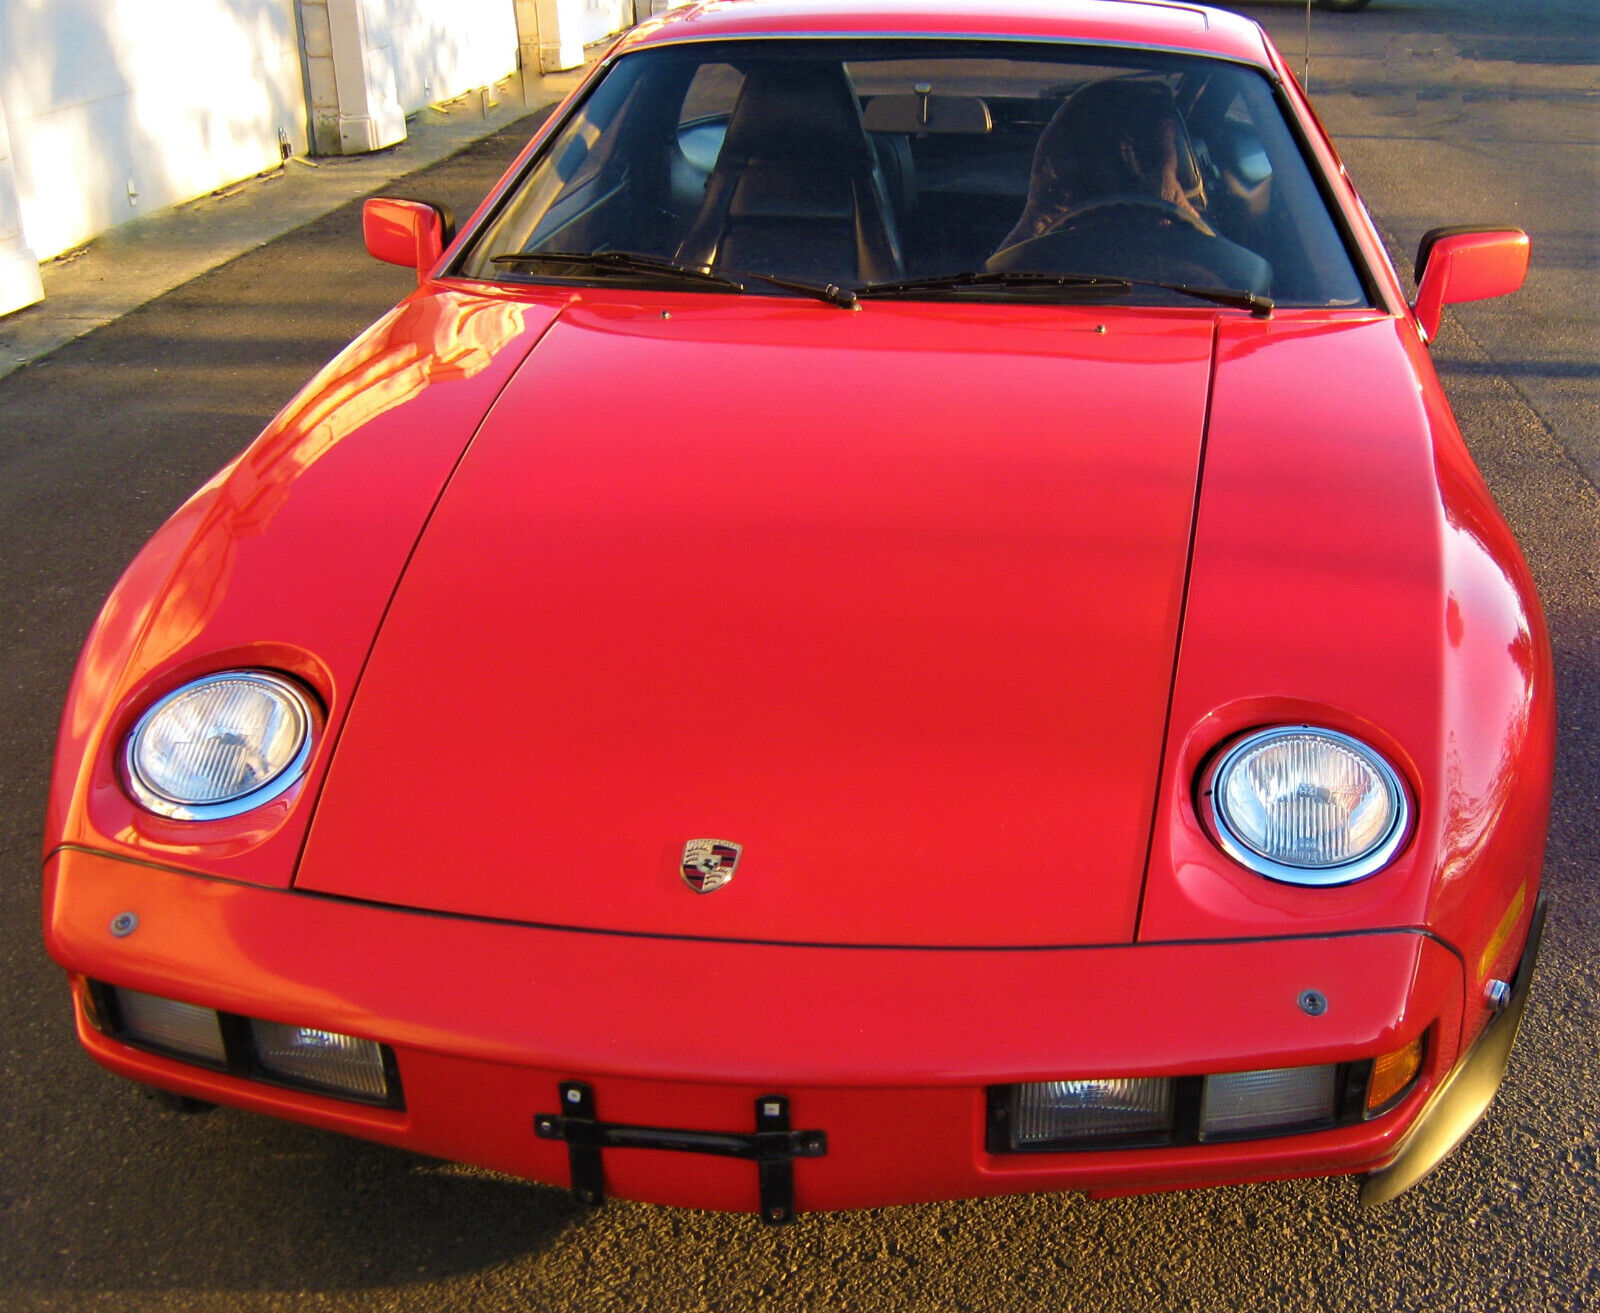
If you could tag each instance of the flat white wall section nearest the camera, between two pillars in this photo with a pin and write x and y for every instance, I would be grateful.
(124, 106)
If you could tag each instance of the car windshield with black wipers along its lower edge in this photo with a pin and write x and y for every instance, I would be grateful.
(926, 170)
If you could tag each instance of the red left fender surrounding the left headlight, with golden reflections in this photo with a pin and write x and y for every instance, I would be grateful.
(287, 561)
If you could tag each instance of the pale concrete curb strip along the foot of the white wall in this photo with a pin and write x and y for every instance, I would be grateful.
(138, 261)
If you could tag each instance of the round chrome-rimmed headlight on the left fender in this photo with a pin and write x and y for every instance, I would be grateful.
(220, 746)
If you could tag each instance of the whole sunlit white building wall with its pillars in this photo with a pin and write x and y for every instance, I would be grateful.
(121, 108)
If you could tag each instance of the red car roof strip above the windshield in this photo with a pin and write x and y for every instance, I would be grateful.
(1138, 23)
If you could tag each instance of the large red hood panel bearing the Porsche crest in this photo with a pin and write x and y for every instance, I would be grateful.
(890, 599)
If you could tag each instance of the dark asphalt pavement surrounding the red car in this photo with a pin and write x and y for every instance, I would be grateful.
(1447, 111)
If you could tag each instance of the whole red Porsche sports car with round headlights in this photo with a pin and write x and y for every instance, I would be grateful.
(900, 617)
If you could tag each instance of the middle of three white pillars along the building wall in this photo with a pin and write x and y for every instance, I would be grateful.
(351, 78)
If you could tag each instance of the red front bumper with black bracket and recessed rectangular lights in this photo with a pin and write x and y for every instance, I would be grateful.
(887, 1052)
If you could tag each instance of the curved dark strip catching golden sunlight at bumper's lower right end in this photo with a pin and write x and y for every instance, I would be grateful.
(1465, 1095)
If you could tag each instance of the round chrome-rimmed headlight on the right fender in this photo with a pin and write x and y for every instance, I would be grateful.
(1308, 807)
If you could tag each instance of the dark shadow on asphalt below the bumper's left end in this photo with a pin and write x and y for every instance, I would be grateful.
(306, 1210)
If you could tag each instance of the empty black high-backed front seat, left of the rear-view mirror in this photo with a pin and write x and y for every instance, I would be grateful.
(796, 188)
